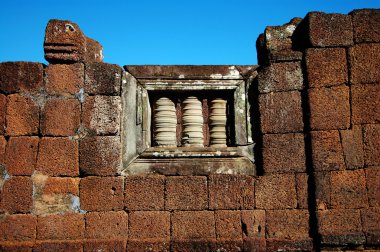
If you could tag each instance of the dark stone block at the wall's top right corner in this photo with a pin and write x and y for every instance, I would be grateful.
(366, 23)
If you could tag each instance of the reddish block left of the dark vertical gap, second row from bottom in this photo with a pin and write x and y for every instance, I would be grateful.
(287, 224)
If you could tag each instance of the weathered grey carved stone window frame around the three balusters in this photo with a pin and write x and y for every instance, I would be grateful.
(140, 158)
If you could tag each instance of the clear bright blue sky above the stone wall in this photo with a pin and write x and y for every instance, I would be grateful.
(160, 31)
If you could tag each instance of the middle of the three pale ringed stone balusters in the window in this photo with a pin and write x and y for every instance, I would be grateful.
(192, 122)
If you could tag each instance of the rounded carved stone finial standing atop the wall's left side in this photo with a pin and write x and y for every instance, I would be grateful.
(65, 43)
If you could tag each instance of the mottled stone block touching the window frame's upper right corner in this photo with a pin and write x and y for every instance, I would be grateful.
(278, 77)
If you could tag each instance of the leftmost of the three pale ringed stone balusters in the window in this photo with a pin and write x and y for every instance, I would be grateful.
(165, 122)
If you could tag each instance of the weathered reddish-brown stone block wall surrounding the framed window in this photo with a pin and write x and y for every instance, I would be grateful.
(314, 116)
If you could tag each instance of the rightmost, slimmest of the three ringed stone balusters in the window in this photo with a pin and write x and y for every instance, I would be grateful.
(218, 122)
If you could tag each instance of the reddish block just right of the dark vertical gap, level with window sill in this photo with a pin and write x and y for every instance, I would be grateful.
(327, 151)
